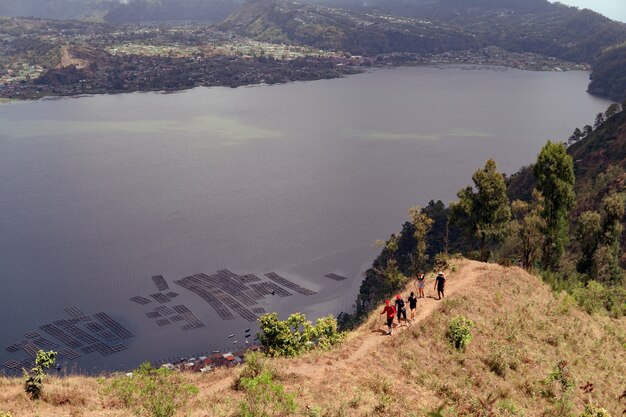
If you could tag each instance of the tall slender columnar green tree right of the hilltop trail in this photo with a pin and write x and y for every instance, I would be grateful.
(554, 171)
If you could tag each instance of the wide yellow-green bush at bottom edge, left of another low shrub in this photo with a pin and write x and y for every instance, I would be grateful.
(153, 392)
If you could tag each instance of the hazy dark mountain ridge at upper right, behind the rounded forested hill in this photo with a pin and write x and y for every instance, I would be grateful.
(516, 25)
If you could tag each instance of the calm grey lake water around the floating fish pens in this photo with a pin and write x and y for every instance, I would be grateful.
(97, 194)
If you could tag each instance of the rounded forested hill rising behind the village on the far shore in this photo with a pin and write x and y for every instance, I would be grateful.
(357, 32)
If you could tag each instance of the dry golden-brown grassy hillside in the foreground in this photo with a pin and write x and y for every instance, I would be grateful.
(531, 352)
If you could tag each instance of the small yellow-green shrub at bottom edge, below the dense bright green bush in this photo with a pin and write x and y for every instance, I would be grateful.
(265, 398)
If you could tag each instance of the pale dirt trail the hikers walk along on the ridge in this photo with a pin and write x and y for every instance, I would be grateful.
(370, 335)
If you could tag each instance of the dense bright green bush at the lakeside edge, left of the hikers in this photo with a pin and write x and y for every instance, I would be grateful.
(296, 335)
